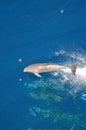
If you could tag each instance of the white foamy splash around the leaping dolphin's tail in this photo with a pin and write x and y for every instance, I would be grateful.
(77, 82)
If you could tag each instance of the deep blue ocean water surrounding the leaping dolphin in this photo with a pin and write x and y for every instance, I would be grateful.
(41, 31)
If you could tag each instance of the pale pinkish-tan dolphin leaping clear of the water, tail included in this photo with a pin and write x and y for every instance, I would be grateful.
(38, 68)
